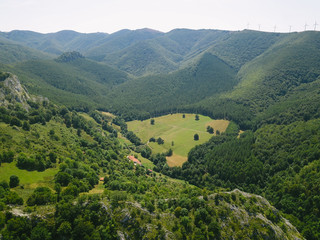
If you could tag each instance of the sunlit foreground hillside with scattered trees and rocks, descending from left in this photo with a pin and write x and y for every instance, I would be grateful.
(65, 175)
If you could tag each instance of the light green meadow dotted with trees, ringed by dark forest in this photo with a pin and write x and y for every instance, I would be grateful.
(177, 133)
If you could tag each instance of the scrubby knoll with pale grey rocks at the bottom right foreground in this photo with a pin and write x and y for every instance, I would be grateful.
(251, 211)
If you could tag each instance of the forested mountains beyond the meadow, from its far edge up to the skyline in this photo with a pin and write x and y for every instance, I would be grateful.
(245, 76)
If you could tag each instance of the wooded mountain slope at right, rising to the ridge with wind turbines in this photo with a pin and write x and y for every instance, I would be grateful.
(286, 65)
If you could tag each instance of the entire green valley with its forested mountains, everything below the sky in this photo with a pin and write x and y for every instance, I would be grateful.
(74, 106)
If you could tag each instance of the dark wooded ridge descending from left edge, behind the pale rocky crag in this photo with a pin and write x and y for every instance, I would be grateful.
(79, 83)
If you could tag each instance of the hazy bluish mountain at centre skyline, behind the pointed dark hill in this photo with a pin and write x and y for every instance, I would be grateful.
(163, 54)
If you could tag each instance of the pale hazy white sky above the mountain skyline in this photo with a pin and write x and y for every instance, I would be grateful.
(164, 15)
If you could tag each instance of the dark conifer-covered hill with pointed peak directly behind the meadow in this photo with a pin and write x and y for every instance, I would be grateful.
(165, 93)
